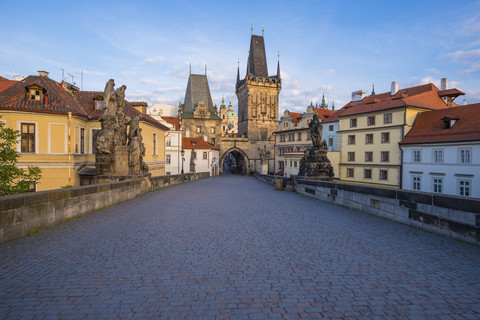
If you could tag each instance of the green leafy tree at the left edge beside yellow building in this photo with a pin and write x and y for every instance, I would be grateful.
(13, 179)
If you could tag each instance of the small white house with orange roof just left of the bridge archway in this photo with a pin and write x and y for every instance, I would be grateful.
(206, 156)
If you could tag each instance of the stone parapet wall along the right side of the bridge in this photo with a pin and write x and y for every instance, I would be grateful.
(451, 216)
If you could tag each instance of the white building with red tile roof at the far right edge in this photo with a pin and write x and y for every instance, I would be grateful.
(441, 153)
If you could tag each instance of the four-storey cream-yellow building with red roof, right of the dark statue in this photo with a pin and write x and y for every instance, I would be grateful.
(370, 129)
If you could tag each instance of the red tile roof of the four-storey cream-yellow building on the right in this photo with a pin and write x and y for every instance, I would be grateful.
(424, 96)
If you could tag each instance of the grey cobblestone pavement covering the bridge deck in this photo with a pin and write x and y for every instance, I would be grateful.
(234, 248)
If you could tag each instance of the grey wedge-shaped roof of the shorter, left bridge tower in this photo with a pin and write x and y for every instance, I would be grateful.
(198, 89)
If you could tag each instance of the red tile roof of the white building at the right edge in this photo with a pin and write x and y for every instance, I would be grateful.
(429, 126)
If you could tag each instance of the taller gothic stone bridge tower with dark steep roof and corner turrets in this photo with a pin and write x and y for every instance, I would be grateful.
(258, 95)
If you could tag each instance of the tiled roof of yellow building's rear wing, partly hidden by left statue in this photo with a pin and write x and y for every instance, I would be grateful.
(86, 100)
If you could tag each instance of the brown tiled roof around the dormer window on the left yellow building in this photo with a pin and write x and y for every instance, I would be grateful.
(56, 98)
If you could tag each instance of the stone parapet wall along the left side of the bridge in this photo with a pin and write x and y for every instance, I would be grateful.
(29, 212)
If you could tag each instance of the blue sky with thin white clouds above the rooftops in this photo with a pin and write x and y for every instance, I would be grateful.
(329, 48)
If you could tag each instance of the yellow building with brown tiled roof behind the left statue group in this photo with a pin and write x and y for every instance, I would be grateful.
(58, 125)
